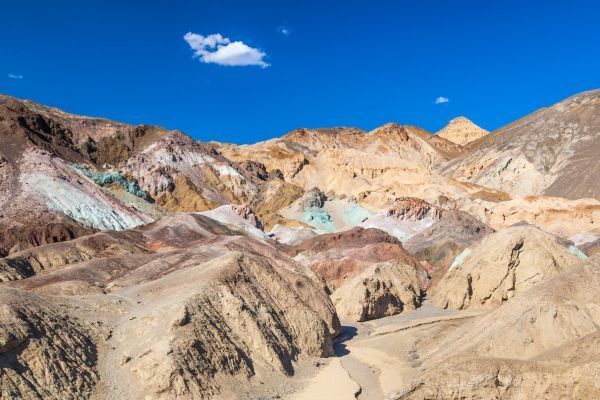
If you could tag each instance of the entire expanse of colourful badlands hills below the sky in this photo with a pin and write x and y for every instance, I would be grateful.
(333, 263)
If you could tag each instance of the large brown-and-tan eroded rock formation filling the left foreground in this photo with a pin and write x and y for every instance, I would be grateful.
(156, 290)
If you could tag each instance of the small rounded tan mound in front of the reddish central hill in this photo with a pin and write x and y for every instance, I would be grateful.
(379, 291)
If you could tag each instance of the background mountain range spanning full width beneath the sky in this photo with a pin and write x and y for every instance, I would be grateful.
(74, 175)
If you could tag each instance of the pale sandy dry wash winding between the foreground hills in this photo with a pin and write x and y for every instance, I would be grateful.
(378, 356)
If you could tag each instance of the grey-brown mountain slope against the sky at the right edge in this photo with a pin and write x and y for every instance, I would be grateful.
(544, 153)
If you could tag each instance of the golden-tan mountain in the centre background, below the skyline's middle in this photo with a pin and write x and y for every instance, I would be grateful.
(373, 167)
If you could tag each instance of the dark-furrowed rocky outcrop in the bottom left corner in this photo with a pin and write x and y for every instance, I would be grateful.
(45, 351)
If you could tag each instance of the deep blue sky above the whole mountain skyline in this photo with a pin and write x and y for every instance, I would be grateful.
(338, 63)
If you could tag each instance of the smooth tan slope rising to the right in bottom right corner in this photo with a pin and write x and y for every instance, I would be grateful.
(541, 344)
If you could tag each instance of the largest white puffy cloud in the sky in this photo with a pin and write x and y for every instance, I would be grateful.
(220, 50)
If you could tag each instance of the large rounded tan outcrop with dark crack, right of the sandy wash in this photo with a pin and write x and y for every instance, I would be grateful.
(500, 266)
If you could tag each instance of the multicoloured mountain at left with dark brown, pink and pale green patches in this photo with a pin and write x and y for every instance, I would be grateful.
(63, 176)
